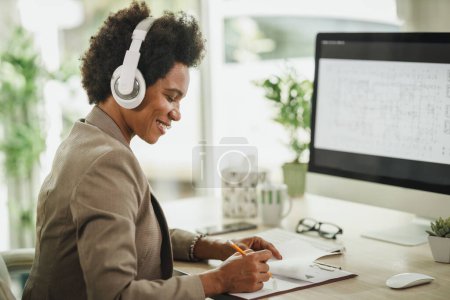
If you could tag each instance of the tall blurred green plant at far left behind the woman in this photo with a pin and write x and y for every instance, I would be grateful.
(21, 79)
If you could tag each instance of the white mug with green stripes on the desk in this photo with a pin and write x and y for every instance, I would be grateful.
(274, 203)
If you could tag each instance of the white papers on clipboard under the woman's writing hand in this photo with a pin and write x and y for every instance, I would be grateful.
(297, 269)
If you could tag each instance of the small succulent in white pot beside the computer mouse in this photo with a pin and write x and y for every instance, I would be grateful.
(439, 240)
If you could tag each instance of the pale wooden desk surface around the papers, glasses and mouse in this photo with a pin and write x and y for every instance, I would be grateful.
(374, 261)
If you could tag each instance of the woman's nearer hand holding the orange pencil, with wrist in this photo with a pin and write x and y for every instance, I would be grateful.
(238, 274)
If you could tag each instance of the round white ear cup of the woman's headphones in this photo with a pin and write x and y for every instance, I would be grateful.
(133, 99)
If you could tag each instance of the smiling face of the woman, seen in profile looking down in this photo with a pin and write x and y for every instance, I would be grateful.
(161, 105)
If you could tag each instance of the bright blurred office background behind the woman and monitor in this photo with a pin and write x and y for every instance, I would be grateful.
(41, 95)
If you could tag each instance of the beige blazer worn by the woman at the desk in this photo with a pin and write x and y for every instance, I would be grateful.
(100, 232)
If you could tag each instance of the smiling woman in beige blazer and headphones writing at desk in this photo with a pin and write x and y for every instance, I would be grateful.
(101, 234)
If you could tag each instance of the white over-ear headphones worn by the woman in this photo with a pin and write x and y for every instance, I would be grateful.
(129, 91)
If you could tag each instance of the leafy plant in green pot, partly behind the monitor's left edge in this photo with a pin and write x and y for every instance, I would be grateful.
(291, 95)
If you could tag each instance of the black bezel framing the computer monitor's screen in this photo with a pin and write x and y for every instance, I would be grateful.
(410, 37)
